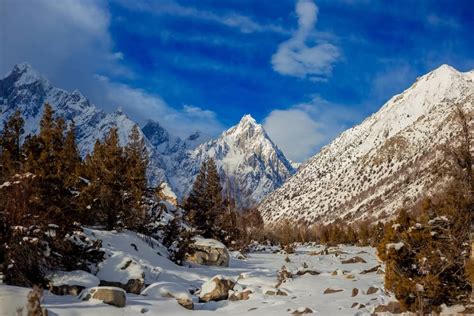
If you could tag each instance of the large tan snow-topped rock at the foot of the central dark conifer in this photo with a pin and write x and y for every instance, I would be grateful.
(209, 252)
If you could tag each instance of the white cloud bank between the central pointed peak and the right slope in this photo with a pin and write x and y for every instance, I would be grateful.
(301, 130)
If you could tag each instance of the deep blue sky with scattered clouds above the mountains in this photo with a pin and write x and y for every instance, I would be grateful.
(305, 69)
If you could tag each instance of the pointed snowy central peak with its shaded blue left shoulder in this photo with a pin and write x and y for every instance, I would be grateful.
(252, 163)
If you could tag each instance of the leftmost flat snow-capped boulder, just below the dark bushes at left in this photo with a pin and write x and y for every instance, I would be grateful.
(70, 282)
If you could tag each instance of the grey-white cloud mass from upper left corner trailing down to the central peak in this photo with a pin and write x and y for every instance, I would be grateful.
(69, 42)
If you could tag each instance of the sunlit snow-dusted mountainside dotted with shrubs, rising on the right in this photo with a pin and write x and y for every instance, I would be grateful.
(387, 161)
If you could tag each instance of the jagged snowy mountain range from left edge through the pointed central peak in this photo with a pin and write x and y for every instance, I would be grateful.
(245, 153)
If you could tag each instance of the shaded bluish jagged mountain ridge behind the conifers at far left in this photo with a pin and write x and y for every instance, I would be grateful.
(26, 90)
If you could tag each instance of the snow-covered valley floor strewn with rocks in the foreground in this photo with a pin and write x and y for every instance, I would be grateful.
(258, 273)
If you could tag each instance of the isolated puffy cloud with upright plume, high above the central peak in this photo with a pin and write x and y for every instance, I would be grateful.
(295, 58)
